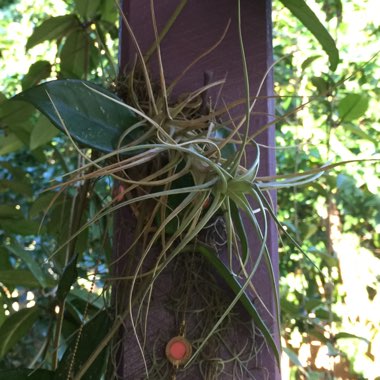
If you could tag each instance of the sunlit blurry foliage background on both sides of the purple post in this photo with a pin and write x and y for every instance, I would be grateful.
(329, 319)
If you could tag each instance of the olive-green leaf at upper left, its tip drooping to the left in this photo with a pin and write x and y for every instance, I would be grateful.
(53, 28)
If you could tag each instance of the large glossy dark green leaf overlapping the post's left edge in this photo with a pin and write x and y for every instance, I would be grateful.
(90, 118)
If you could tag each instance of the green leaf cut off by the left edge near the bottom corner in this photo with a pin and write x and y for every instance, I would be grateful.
(15, 327)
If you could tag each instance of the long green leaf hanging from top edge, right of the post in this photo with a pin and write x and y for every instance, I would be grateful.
(301, 10)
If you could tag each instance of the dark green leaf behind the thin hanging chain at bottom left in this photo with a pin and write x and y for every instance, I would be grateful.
(92, 335)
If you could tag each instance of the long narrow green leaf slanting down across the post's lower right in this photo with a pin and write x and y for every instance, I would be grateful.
(234, 285)
